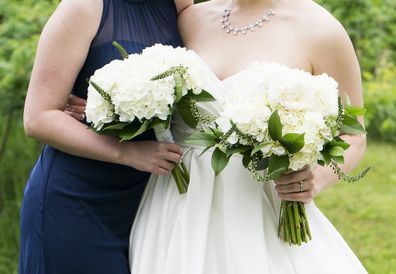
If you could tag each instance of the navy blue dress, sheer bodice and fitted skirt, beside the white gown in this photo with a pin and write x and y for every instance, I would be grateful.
(77, 213)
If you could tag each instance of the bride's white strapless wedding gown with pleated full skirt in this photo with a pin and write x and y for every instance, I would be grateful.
(226, 224)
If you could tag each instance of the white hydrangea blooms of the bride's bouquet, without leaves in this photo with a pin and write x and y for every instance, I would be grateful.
(304, 103)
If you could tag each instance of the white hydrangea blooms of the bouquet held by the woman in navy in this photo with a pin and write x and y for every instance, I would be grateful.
(133, 93)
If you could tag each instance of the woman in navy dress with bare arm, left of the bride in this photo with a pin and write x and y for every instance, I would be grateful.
(84, 190)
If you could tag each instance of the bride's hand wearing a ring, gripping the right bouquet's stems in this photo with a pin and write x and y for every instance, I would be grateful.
(302, 185)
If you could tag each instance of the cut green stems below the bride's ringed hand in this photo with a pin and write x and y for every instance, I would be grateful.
(293, 223)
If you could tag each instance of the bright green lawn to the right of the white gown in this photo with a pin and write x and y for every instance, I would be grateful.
(364, 213)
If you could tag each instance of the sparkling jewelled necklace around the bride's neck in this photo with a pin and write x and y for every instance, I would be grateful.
(229, 28)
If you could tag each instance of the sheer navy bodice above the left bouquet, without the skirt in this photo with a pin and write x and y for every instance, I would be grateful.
(135, 24)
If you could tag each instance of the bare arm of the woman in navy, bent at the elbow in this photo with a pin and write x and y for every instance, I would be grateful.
(61, 53)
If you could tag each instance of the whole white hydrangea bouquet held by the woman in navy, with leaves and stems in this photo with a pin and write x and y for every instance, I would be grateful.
(130, 96)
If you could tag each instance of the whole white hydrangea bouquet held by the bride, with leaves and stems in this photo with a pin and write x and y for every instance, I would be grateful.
(282, 119)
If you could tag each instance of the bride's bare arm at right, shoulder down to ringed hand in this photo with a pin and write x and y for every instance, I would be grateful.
(333, 54)
